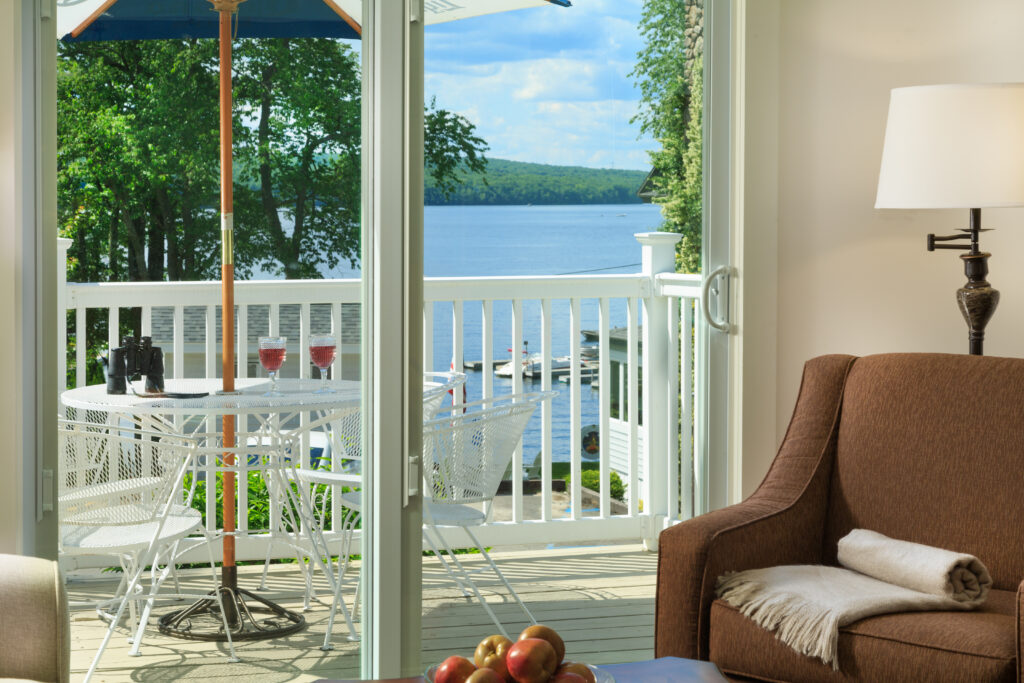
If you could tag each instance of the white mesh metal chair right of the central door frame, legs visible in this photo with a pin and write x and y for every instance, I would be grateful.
(465, 455)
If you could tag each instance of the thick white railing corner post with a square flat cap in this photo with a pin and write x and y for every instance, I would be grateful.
(659, 255)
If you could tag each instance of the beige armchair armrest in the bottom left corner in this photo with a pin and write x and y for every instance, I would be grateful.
(35, 641)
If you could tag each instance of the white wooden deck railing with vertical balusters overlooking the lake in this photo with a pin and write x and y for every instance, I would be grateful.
(663, 477)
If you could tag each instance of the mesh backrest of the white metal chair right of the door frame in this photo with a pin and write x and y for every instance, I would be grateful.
(466, 454)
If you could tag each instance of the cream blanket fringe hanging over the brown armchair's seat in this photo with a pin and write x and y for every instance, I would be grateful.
(798, 623)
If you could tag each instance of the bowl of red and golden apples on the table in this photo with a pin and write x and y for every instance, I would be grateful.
(538, 657)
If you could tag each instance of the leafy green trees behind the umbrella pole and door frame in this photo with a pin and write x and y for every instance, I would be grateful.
(139, 159)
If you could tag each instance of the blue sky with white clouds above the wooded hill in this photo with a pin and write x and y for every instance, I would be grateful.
(548, 86)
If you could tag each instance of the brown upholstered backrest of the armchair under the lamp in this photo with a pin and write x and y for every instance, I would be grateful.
(931, 450)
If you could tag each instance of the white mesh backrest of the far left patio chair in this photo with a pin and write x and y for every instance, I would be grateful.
(110, 476)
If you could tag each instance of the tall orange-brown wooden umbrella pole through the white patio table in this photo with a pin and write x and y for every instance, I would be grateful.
(227, 10)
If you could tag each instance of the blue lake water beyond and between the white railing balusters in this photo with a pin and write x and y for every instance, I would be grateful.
(475, 241)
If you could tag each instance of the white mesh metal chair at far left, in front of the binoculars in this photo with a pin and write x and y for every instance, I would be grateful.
(122, 494)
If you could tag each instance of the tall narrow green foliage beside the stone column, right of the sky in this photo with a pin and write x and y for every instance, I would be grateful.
(669, 76)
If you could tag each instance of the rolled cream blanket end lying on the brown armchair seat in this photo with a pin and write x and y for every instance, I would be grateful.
(956, 576)
